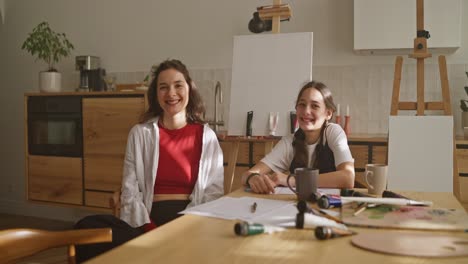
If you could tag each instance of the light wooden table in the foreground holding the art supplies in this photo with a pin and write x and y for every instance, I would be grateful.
(199, 239)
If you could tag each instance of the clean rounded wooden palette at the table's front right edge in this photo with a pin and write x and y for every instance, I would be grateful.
(413, 244)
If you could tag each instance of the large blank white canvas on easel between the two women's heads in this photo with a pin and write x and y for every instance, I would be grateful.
(267, 72)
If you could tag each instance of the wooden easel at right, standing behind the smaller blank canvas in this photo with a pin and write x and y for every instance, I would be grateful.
(420, 53)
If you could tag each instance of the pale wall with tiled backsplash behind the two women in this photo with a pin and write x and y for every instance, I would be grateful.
(130, 36)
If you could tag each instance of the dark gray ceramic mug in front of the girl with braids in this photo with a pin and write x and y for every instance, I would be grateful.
(306, 183)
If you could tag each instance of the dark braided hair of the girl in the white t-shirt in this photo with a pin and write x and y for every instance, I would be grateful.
(299, 144)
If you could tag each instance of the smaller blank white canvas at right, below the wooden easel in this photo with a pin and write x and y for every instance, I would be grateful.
(420, 153)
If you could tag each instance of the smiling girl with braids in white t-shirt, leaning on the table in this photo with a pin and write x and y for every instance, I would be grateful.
(317, 143)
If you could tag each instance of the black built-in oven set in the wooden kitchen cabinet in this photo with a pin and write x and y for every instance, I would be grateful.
(55, 126)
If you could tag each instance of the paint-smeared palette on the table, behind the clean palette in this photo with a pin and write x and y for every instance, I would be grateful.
(405, 217)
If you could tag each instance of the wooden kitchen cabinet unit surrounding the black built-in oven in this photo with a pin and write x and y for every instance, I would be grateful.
(90, 179)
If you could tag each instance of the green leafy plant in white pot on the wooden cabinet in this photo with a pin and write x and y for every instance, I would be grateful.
(50, 47)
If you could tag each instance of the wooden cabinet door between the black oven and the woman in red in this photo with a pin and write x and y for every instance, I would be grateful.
(106, 123)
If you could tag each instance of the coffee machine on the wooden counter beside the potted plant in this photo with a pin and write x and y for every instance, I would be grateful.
(91, 75)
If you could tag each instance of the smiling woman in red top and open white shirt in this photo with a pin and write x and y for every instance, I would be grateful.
(173, 161)
